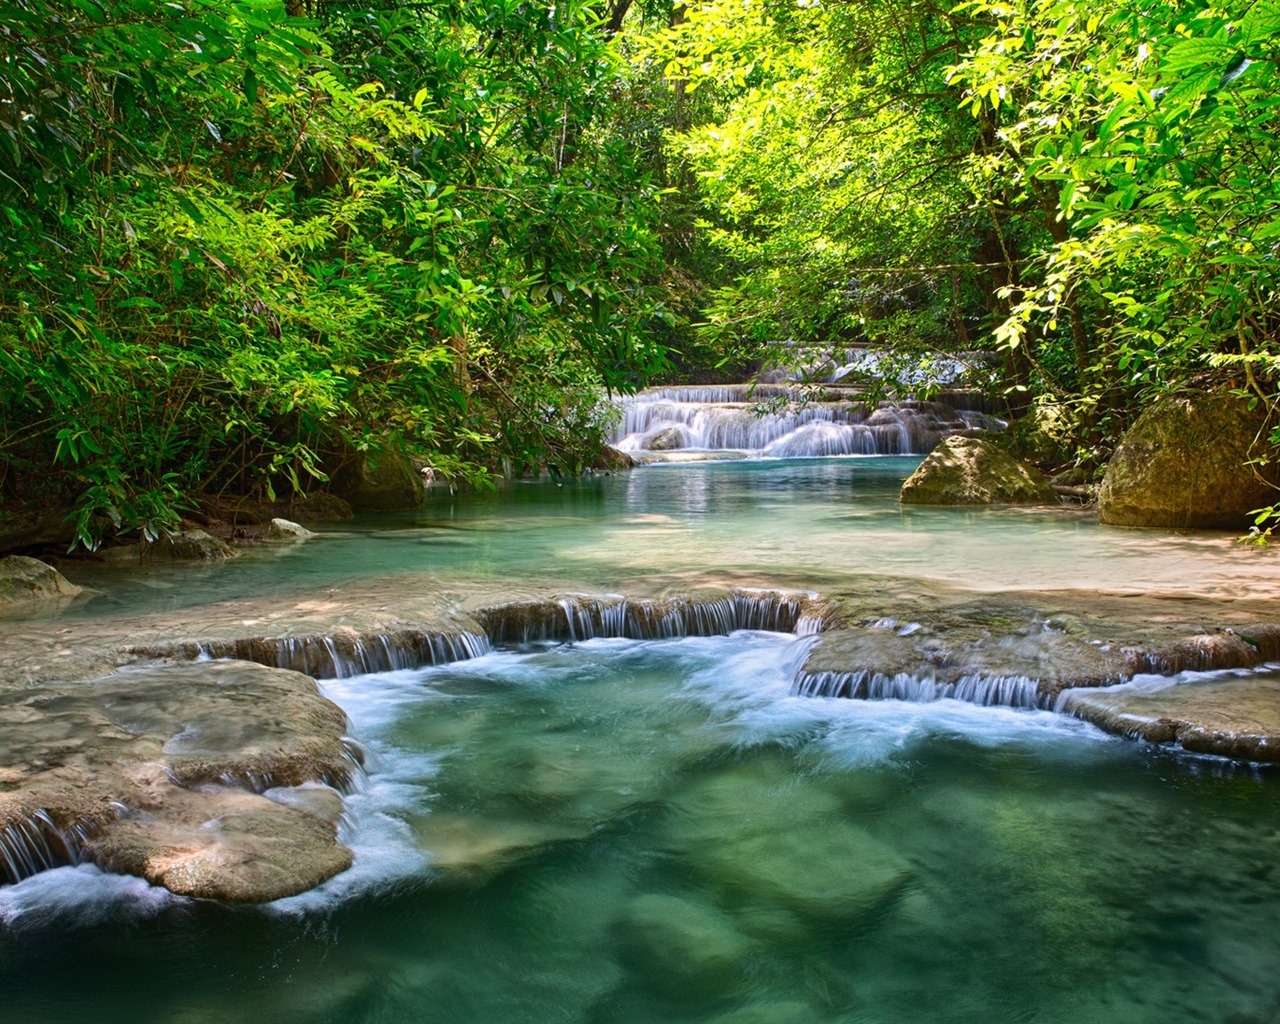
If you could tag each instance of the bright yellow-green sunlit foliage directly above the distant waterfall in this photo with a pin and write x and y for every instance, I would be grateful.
(830, 157)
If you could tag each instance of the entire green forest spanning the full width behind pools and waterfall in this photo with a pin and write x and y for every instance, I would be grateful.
(249, 241)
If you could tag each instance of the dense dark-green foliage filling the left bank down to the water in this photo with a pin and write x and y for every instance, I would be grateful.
(243, 245)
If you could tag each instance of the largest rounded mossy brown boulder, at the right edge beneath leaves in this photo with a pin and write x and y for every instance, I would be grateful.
(1183, 465)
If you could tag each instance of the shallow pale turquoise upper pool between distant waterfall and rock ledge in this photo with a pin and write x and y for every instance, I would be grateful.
(802, 522)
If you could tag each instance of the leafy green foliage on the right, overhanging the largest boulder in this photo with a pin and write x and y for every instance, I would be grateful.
(1149, 135)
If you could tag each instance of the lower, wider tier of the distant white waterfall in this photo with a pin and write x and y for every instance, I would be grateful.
(780, 423)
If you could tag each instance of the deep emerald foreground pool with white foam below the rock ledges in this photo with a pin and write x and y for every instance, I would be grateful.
(615, 833)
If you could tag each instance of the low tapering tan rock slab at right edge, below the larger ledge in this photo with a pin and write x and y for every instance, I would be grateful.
(1233, 716)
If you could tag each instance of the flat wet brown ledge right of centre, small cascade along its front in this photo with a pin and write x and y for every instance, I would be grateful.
(1022, 648)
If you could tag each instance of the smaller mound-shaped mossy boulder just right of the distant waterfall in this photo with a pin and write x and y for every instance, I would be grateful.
(975, 472)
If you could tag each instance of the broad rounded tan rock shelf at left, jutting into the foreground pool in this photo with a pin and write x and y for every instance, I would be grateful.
(158, 772)
